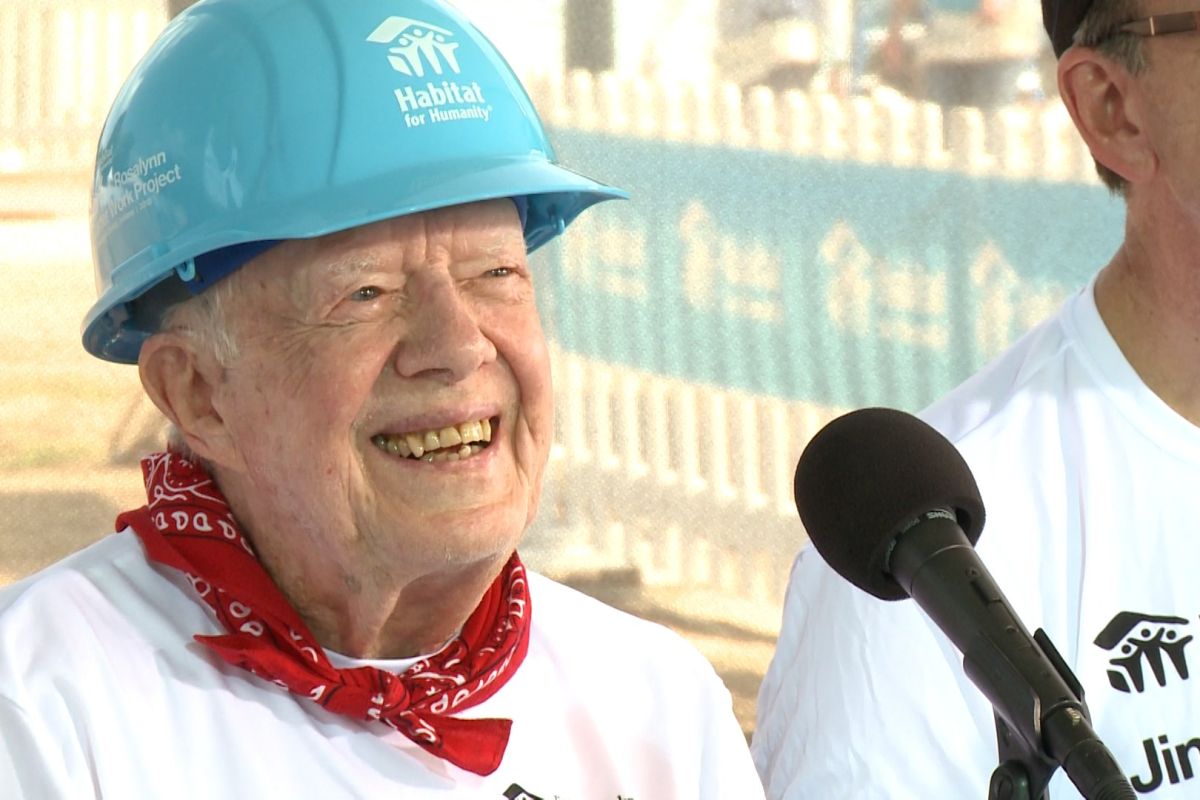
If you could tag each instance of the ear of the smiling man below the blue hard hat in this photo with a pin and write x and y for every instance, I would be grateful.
(182, 381)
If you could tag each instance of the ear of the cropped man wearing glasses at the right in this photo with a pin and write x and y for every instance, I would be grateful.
(1106, 104)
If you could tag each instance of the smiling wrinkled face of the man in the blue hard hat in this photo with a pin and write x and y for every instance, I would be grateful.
(392, 395)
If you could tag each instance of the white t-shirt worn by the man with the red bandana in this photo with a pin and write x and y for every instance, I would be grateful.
(104, 694)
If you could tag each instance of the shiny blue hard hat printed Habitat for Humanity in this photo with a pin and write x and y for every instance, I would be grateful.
(253, 122)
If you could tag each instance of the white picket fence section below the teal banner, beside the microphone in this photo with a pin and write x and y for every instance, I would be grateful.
(689, 484)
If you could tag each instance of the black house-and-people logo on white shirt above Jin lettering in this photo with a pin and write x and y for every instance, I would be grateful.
(1141, 642)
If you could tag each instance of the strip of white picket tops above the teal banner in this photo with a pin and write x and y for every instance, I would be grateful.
(1035, 141)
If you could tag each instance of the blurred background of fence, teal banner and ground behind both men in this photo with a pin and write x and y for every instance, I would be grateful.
(836, 204)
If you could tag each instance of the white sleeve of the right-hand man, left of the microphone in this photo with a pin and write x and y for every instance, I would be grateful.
(857, 682)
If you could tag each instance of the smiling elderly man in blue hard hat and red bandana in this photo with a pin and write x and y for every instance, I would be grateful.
(310, 224)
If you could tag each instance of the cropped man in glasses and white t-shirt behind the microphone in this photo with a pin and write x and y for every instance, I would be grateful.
(1085, 443)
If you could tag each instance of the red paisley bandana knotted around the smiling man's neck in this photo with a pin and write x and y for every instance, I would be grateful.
(189, 526)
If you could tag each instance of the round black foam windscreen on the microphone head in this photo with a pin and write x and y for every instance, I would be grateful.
(868, 474)
